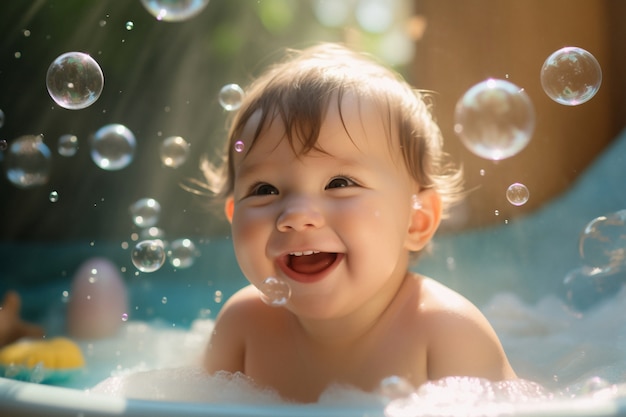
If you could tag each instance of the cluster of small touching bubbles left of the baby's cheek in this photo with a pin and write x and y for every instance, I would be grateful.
(150, 254)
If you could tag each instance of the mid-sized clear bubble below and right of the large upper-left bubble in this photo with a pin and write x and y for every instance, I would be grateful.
(113, 147)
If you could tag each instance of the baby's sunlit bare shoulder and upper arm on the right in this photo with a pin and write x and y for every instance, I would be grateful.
(463, 343)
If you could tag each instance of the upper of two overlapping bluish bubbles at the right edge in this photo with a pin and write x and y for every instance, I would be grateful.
(602, 243)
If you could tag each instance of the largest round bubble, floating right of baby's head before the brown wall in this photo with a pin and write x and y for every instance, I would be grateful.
(495, 119)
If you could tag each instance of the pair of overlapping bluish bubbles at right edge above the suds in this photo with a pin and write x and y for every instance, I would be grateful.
(602, 247)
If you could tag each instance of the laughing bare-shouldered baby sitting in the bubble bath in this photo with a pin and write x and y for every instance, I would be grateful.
(334, 180)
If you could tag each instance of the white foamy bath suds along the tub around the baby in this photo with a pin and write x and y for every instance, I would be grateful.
(558, 354)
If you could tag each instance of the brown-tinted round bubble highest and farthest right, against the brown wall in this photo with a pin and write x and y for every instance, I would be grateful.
(571, 76)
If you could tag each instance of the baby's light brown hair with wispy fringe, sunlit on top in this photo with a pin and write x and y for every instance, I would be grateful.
(299, 90)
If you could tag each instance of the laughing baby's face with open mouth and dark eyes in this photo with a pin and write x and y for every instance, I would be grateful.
(331, 224)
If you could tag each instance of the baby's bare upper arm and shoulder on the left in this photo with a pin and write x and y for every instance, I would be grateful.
(226, 348)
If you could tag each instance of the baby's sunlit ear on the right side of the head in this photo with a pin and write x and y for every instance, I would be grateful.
(424, 220)
